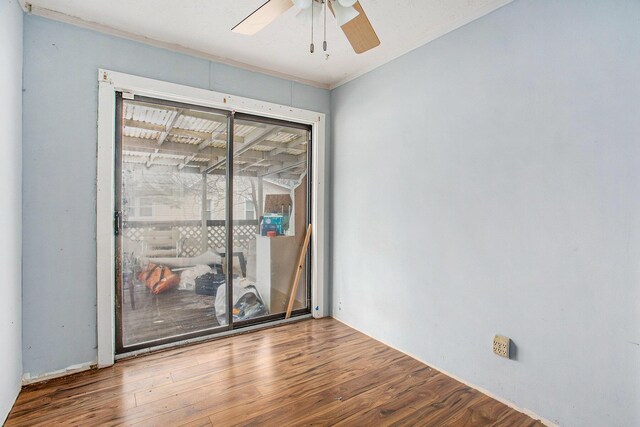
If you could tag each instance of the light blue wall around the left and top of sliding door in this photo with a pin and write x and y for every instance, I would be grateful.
(60, 111)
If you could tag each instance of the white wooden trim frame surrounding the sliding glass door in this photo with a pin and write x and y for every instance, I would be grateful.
(109, 82)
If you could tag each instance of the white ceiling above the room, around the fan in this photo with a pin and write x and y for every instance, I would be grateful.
(204, 27)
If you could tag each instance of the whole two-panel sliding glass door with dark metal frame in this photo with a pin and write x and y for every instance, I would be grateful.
(197, 234)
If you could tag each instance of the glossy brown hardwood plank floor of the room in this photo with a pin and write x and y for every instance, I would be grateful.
(313, 372)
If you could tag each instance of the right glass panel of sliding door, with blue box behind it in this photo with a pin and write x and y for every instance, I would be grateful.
(270, 217)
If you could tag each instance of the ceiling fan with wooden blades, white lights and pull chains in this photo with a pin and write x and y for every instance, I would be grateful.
(349, 15)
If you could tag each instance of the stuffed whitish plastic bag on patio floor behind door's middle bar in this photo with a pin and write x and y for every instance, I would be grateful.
(247, 303)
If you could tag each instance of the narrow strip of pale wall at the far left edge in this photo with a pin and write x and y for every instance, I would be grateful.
(11, 22)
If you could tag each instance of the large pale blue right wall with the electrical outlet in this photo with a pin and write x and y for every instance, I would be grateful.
(488, 183)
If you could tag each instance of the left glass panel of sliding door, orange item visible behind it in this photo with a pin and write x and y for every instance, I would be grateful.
(172, 220)
